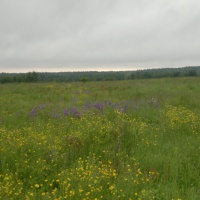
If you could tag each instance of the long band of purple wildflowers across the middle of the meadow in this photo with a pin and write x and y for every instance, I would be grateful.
(97, 108)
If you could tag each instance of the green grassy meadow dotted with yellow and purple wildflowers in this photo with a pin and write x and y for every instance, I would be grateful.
(127, 140)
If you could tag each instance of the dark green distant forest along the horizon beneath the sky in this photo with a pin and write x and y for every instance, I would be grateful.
(98, 76)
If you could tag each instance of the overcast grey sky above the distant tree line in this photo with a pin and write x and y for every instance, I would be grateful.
(98, 35)
